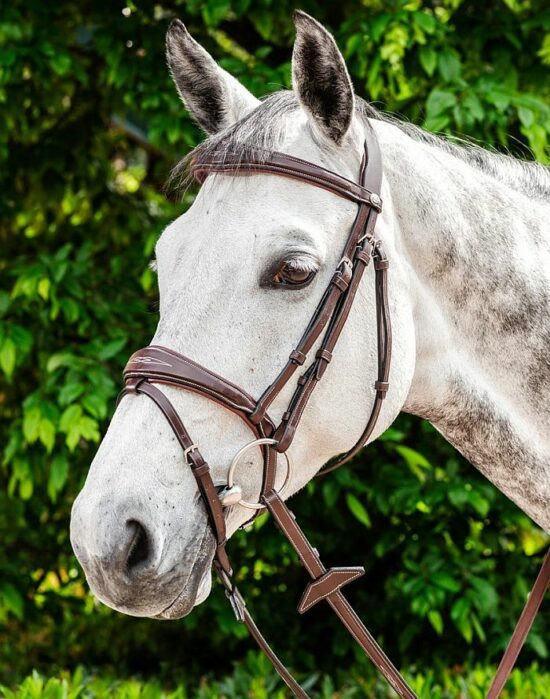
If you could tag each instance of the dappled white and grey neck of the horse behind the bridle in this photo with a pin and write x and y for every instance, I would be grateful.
(478, 259)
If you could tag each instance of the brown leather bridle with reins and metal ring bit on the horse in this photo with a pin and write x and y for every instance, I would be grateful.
(155, 365)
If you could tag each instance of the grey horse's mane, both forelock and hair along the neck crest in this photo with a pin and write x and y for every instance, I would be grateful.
(262, 131)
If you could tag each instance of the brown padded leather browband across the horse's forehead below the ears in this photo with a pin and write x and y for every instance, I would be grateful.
(287, 166)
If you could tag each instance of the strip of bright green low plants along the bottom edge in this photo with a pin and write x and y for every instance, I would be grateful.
(254, 678)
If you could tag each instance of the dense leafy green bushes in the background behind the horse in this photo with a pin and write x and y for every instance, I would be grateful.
(90, 128)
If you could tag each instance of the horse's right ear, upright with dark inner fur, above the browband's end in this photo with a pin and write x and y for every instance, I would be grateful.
(320, 78)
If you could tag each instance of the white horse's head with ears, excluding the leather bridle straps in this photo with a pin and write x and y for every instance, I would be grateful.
(239, 276)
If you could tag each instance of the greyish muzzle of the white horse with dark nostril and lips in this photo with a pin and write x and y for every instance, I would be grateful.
(134, 567)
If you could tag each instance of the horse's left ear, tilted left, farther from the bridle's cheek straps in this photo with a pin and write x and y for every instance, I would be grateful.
(214, 98)
